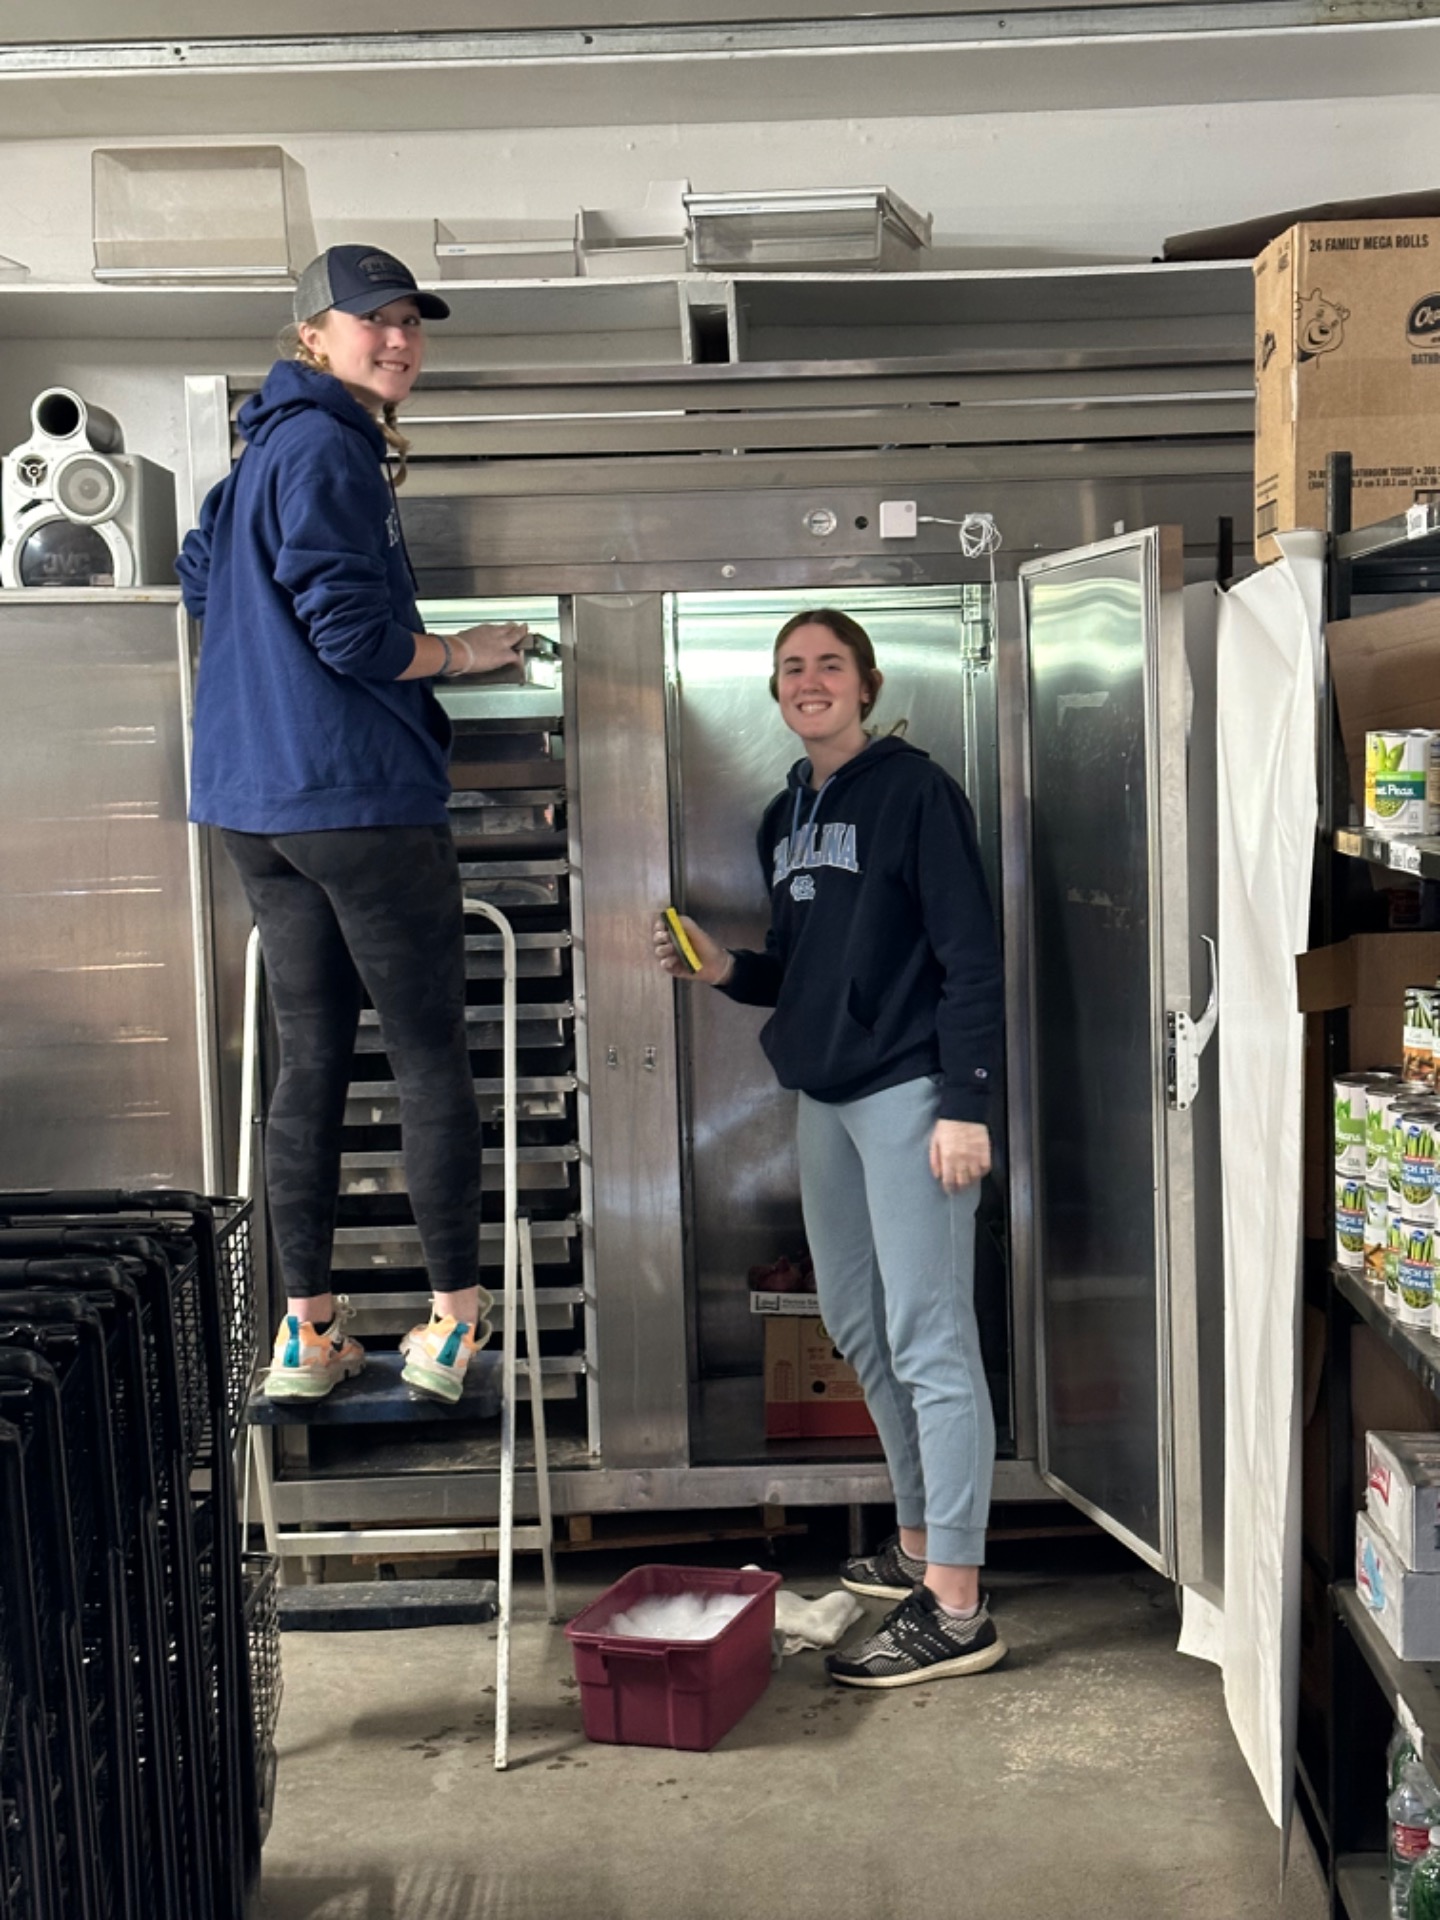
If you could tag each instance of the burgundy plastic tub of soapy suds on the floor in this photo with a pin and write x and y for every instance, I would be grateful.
(673, 1692)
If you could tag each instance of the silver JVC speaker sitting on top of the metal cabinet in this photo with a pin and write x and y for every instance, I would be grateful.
(80, 514)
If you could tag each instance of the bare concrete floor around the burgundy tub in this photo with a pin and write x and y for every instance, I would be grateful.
(1093, 1775)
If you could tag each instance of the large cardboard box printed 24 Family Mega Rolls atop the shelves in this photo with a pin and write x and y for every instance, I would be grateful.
(1347, 360)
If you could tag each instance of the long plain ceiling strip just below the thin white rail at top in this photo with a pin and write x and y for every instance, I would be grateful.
(339, 95)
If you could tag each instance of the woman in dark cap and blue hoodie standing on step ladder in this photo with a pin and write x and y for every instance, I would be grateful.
(322, 756)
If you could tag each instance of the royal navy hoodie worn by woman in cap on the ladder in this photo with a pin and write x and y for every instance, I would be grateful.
(300, 577)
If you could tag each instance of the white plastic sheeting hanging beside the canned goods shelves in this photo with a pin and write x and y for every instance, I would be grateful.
(1268, 681)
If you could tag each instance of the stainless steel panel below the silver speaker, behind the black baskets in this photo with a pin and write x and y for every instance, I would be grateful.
(103, 921)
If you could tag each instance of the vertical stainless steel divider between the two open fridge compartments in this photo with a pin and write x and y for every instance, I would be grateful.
(631, 1068)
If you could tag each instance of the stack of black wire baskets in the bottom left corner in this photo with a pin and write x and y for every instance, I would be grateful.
(139, 1668)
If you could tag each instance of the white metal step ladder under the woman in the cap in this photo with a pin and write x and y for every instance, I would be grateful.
(377, 1397)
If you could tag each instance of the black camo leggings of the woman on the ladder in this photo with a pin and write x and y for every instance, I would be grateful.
(375, 909)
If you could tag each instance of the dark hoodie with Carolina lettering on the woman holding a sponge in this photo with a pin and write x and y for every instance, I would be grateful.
(882, 961)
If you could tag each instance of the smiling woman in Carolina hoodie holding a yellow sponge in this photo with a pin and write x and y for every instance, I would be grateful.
(884, 976)
